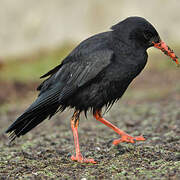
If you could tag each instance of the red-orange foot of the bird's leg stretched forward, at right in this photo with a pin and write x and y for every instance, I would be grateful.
(129, 139)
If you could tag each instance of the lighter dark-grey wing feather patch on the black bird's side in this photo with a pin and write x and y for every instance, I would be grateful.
(82, 73)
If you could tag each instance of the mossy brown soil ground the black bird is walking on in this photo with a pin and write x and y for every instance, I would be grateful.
(150, 107)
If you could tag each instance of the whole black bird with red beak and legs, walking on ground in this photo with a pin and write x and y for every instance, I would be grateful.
(94, 75)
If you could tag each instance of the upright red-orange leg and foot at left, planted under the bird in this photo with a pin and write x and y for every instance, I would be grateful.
(74, 126)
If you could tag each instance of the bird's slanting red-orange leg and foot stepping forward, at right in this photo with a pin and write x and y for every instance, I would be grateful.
(124, 136)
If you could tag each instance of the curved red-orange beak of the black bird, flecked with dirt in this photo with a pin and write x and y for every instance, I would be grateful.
(167, 50)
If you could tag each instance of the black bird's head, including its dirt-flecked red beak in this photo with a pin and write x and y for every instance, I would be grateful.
(139, 31)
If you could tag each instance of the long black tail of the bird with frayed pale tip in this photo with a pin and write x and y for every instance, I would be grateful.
(35, 114)
